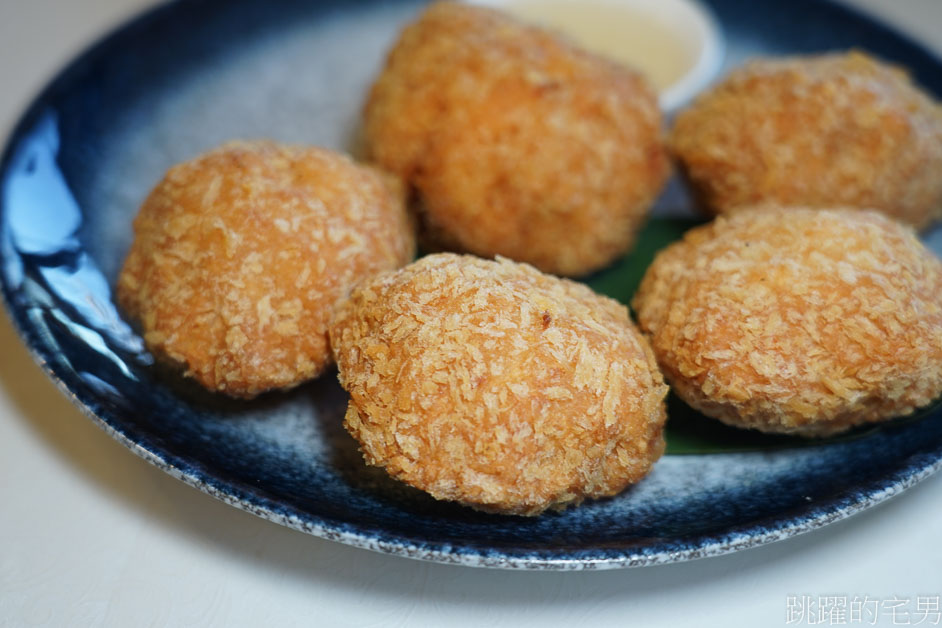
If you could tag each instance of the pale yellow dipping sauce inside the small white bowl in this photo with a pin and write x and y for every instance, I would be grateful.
(625, 33)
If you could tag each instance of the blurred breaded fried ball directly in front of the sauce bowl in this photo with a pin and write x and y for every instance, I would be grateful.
(518, 143)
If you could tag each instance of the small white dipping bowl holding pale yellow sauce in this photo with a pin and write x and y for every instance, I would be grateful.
(676, 43)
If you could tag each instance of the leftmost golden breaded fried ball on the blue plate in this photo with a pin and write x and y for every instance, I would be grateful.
(240, 254)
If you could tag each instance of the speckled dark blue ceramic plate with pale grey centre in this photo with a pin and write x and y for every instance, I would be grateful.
(190, 75)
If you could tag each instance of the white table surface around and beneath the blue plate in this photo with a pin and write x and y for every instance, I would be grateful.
(90, 535)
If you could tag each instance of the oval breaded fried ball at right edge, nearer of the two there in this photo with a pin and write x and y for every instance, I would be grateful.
(797, 321)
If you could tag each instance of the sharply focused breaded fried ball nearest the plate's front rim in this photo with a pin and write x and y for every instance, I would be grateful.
(494, 385)
